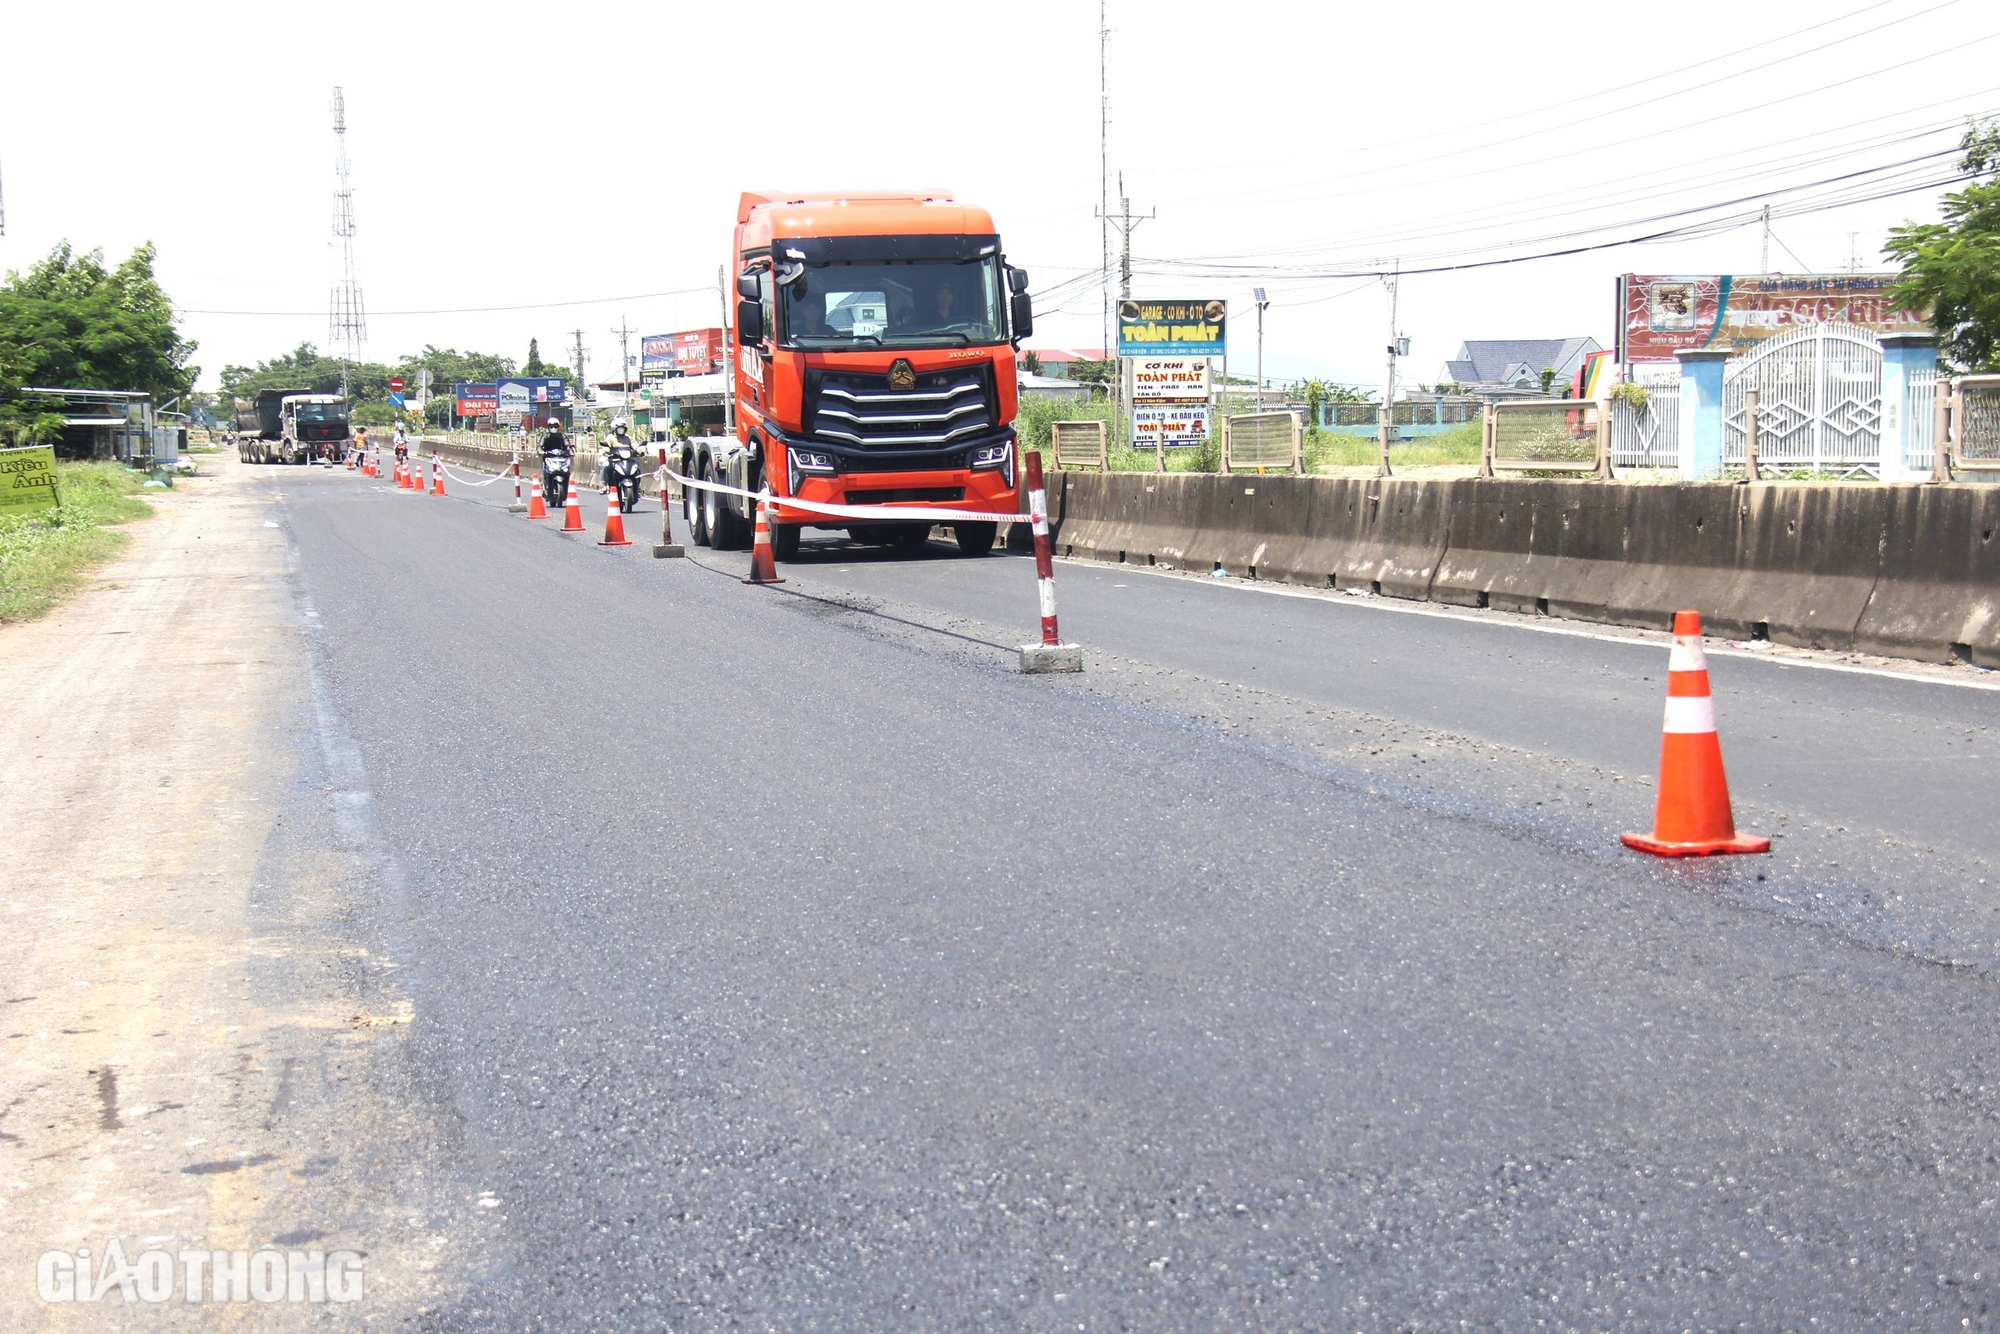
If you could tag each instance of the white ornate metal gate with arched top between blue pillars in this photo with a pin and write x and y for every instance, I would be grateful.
(1819, 401)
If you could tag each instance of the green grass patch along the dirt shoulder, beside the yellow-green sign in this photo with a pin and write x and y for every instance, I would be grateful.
(43, 559)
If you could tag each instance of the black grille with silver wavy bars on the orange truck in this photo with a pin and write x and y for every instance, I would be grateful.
(859, 411)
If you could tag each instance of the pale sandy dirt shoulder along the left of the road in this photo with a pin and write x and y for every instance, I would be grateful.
(199, 1043)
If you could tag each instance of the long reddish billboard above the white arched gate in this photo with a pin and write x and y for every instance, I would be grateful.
(1661, 315)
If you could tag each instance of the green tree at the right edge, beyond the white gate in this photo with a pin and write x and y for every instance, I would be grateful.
(1953, 269)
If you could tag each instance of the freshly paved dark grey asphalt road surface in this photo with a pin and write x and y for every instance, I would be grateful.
(789, 961)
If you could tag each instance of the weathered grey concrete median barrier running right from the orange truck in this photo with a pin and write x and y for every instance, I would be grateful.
(1903, 571)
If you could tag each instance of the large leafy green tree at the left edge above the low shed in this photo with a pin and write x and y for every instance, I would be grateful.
(75, 323)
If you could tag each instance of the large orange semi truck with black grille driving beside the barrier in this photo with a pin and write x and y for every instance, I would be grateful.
(873, 365)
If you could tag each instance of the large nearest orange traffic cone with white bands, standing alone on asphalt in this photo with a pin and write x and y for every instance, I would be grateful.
(1693, 813)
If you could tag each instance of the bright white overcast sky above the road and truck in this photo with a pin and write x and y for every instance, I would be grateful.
(529, 171)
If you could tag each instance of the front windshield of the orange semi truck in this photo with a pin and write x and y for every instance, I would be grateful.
(895, 305)
